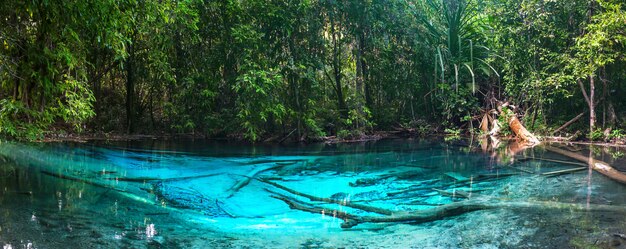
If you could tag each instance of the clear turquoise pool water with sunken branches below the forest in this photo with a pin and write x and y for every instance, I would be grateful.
(201, 194)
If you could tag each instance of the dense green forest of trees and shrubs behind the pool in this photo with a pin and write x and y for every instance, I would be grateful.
(255, 69)
